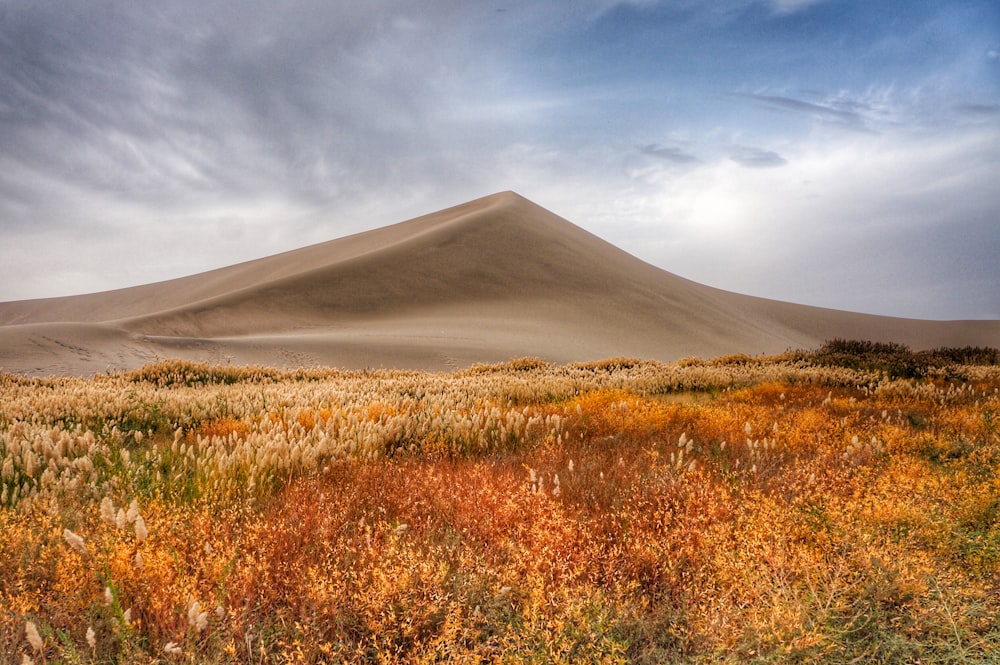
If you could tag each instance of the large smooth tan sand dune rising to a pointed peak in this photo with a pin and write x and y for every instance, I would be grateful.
(492, 279)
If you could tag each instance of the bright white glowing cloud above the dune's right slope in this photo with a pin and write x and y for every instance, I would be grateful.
(857, 222)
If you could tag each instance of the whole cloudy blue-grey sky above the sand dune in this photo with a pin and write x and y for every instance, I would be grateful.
(837, 153)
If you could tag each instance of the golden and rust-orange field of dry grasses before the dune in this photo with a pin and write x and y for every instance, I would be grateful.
(807, 507)
